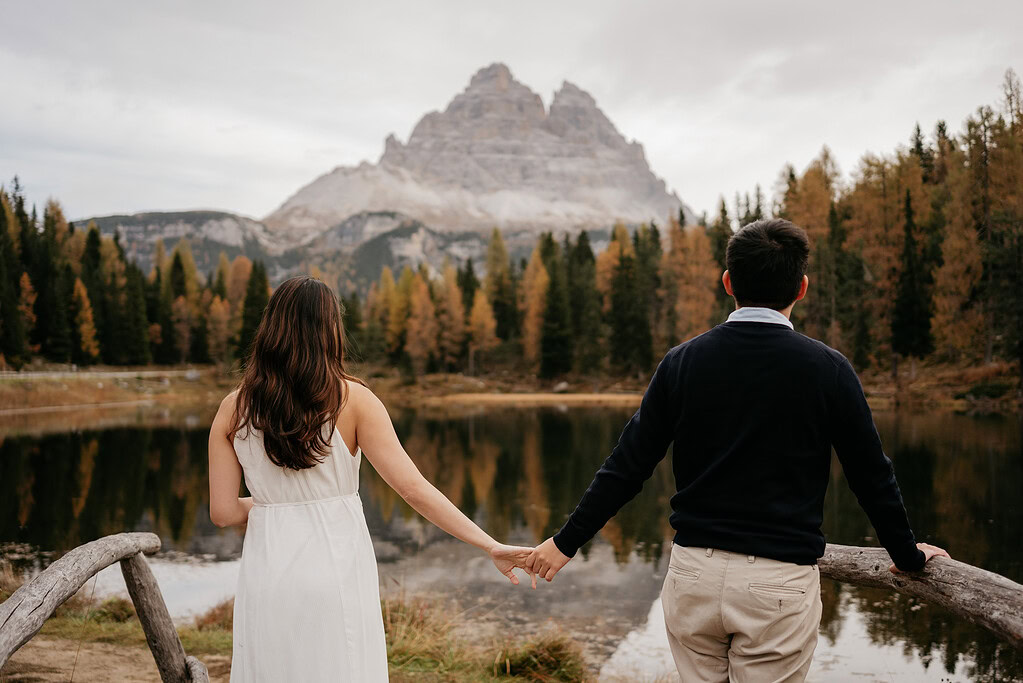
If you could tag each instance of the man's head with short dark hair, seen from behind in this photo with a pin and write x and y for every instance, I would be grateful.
(767, 261)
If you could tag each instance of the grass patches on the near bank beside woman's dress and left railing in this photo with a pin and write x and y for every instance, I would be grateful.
(421, 638)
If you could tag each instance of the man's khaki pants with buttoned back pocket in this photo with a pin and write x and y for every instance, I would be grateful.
(739, 618)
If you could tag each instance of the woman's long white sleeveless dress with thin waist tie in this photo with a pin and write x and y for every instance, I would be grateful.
(307, 607)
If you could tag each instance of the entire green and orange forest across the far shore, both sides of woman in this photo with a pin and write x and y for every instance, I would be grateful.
(917, 257)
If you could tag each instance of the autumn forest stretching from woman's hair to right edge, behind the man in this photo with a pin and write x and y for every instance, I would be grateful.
(918, 257)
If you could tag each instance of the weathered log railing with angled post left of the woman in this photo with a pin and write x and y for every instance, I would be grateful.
(23, 615)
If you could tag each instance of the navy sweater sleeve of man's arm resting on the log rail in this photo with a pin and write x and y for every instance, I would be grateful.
(870, 472)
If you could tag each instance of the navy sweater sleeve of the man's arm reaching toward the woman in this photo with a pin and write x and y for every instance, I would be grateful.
(642, 445)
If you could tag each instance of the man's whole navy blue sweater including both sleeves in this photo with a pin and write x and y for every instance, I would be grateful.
(754, 411)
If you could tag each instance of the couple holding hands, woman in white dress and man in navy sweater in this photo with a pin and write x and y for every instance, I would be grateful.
(752, 407)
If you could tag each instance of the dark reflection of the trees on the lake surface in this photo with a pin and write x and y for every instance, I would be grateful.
(519, 473)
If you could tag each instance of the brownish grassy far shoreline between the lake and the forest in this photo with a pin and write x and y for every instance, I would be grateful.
(962, 390)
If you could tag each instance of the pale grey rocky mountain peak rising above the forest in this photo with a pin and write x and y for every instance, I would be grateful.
(496, 157)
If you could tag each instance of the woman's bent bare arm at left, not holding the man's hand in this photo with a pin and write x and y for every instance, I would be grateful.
(227, 509)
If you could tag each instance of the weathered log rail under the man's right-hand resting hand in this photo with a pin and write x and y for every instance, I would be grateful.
(983, 598)
